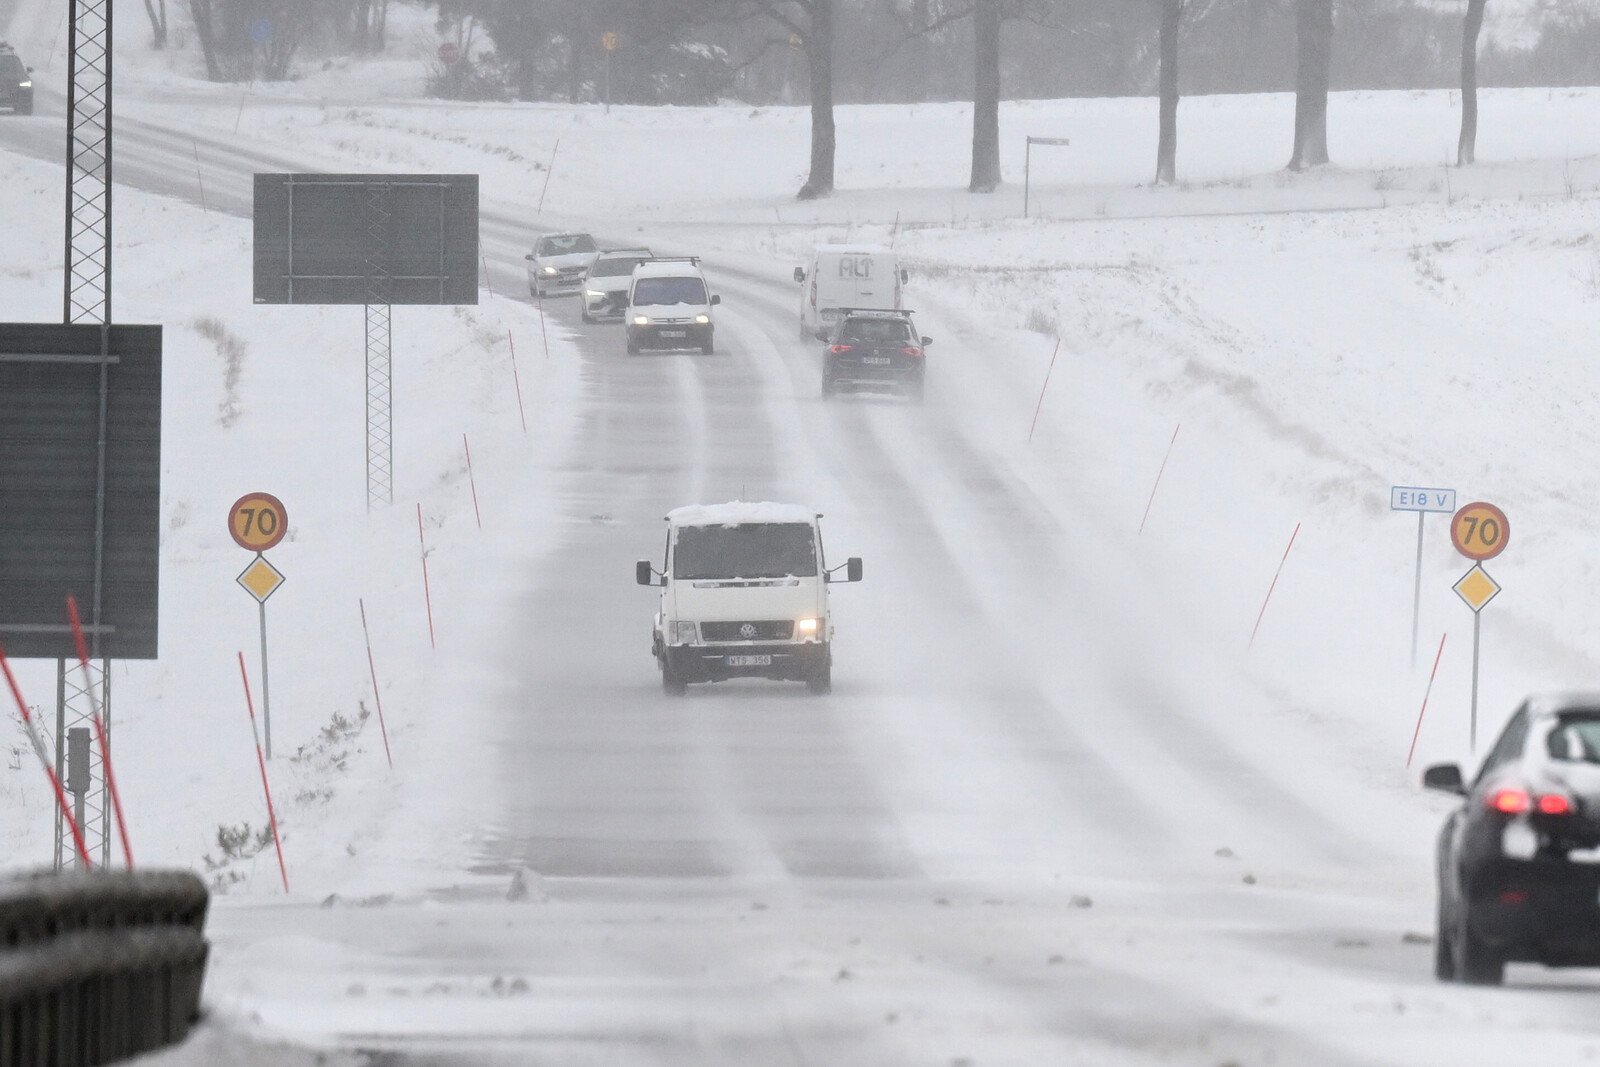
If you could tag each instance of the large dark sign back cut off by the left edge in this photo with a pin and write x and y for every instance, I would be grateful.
(50, 487)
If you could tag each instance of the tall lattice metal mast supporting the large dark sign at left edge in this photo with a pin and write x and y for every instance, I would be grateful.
(87, 300)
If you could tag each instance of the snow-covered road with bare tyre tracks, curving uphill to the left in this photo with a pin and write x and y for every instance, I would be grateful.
(1042, 820)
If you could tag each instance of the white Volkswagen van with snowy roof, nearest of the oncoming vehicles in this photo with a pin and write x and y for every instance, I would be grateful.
(745, 594)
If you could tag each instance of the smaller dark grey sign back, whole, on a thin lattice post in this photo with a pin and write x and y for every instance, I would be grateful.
(367, 239)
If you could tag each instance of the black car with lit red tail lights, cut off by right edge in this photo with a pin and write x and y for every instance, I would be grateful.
(1519, 861)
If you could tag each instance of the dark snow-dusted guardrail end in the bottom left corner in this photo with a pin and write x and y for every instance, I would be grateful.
(98, 967)
